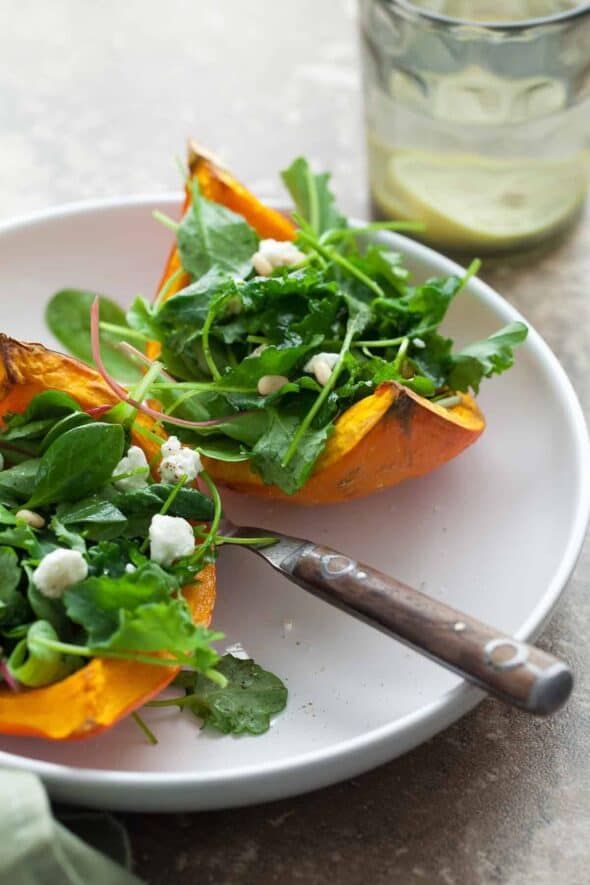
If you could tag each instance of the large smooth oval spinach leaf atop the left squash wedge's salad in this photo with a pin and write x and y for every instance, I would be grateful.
(77, 463)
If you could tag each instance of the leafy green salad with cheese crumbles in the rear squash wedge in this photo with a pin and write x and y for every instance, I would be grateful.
(271, 341)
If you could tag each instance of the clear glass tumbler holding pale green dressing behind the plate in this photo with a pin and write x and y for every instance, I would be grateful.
(479, 128)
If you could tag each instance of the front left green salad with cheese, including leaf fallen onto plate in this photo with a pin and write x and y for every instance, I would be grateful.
(94, 553)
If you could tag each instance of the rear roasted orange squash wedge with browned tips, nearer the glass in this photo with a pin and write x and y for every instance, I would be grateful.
(387, 437)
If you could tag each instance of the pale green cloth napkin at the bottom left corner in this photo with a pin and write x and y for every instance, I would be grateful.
(38, 850)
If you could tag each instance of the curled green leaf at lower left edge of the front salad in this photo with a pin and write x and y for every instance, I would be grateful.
(33, 664)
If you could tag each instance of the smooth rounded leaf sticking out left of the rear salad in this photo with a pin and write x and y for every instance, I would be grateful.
(68, 318)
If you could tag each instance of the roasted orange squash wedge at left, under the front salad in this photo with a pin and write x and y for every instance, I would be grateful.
(104, 690)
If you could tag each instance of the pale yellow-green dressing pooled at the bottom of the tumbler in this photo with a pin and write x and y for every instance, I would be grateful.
(470, 202)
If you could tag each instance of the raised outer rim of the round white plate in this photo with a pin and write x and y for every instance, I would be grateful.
(433, 717)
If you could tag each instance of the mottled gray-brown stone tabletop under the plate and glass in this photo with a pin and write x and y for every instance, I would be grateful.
(95, 99)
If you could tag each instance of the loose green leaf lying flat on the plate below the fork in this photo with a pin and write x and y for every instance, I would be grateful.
(245, 705)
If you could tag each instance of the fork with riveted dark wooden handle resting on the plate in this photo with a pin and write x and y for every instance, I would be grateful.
(514, 671)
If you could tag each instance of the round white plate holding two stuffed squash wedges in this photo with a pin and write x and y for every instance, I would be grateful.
(495, 532)
